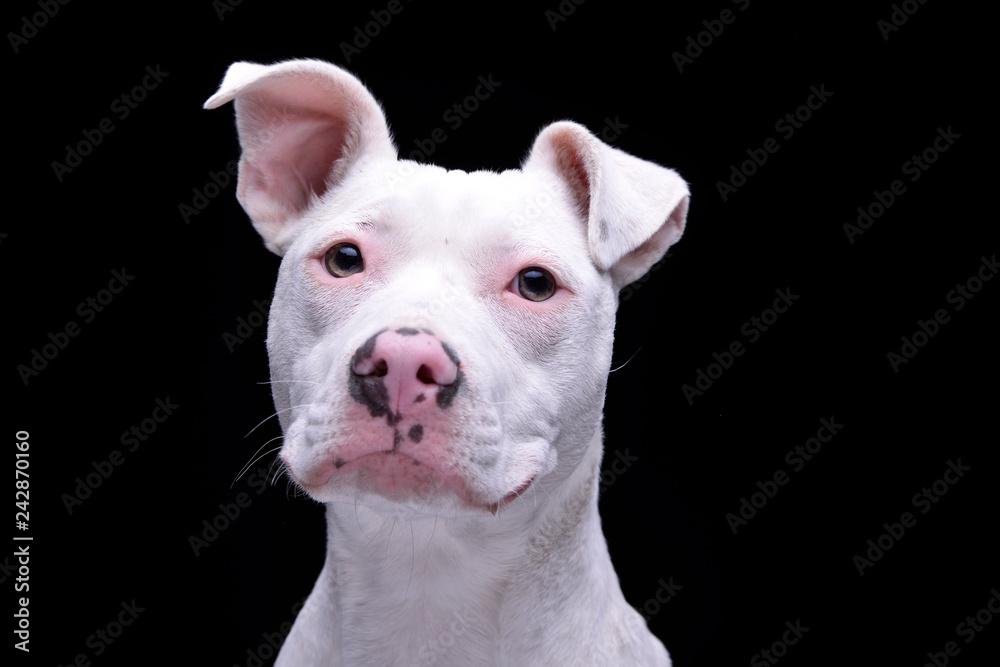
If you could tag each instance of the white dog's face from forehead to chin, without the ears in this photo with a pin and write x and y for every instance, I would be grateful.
(486, 276)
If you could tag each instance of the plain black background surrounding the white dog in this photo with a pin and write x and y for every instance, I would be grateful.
(665, 515)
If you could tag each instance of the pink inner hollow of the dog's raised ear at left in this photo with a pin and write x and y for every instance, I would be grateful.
(293, 165)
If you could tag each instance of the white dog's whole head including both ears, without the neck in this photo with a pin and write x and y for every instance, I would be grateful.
(439, 340)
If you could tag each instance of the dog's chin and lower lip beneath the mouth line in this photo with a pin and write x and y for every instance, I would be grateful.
(396, 484)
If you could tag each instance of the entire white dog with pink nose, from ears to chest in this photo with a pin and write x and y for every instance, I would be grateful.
(439, 345)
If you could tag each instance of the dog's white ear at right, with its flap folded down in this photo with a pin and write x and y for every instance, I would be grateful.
(634, 209)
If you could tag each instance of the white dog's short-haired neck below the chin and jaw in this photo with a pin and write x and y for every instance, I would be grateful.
(467, 591)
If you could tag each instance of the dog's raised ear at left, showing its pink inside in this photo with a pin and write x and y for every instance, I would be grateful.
(303, 124)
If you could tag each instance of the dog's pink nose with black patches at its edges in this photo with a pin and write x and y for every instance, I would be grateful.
(404, 371)
